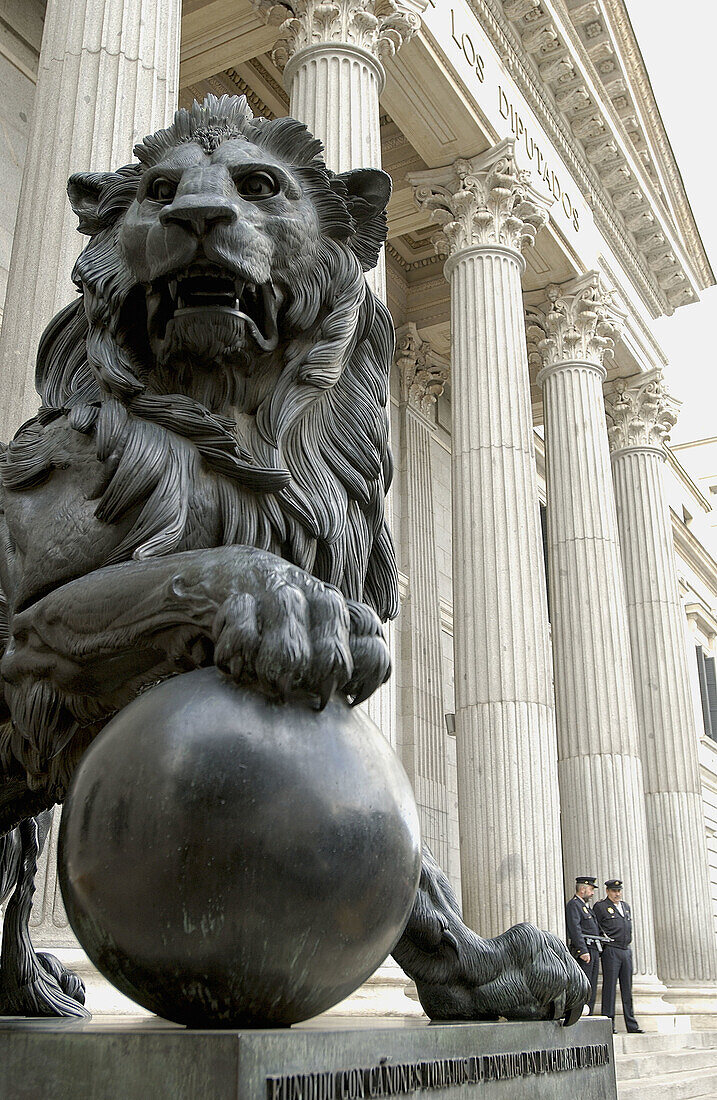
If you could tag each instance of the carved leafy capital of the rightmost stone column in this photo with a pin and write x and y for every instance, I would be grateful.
(641, 413)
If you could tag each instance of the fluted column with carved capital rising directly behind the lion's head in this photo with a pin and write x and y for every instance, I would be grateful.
(333, 59)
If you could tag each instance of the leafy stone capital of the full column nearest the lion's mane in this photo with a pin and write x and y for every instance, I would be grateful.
(486, 201)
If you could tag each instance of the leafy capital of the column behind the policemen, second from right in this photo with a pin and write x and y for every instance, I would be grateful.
(579, 323)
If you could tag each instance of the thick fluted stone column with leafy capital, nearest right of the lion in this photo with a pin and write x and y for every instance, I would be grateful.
(509, 807)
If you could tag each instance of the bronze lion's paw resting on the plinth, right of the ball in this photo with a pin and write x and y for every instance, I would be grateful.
(540, 980)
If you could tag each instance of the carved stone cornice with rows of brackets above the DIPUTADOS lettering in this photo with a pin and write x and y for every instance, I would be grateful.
(566, 58)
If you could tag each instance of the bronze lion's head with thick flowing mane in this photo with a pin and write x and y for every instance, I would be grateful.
(227, 321)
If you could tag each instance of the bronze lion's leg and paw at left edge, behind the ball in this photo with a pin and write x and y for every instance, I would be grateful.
(31, 984)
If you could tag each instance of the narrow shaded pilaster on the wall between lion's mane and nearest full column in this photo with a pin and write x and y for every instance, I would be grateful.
(423, 379)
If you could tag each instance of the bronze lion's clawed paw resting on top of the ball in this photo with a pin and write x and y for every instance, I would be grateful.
(295, 637)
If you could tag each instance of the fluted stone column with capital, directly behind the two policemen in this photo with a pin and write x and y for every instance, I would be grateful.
(600, 768)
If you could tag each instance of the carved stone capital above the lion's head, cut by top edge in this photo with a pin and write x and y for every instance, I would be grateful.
(379, 27)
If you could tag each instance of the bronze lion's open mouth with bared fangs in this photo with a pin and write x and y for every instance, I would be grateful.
(205, 291)
